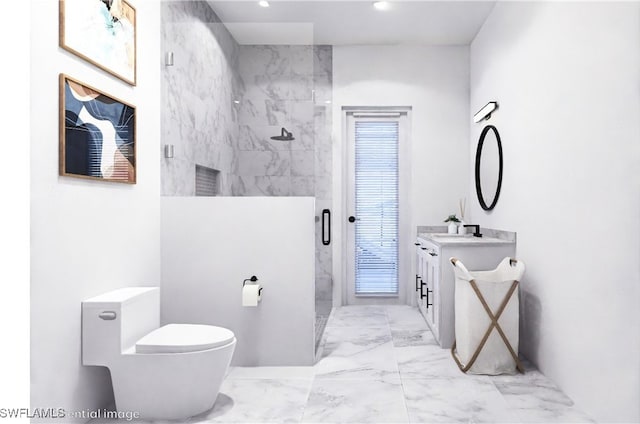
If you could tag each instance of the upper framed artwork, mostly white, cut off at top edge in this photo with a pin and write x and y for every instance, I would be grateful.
(102, 32)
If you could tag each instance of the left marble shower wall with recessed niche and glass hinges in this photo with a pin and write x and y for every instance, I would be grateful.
(198, 113)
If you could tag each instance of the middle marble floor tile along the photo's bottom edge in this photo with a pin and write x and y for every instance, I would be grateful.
(352, 401)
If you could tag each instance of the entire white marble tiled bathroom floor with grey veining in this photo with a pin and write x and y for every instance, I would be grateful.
(380, 364)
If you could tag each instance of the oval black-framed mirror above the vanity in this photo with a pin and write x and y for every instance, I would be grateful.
(489, 167)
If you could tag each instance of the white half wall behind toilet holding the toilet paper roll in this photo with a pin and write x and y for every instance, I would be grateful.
(211, 244)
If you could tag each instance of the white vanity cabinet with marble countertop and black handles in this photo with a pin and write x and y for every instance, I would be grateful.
(435, 279)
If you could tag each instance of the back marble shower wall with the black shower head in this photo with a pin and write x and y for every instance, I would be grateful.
(288, 87)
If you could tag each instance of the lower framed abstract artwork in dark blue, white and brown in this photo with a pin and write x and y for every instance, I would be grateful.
(97, 134)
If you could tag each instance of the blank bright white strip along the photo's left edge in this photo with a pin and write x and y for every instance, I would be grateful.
(14, 181)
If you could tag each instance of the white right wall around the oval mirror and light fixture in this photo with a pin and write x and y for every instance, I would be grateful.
(566, 76)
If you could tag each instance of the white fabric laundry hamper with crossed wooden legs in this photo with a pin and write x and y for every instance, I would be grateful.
(487, 318)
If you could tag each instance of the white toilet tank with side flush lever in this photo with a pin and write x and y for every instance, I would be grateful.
(112, 322)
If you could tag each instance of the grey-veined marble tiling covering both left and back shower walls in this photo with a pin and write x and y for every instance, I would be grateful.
(277, 86)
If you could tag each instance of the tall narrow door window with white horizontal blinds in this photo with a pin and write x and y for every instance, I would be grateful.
(376, 207)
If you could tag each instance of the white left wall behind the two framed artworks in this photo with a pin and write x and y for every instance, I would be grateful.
(87, 237)
